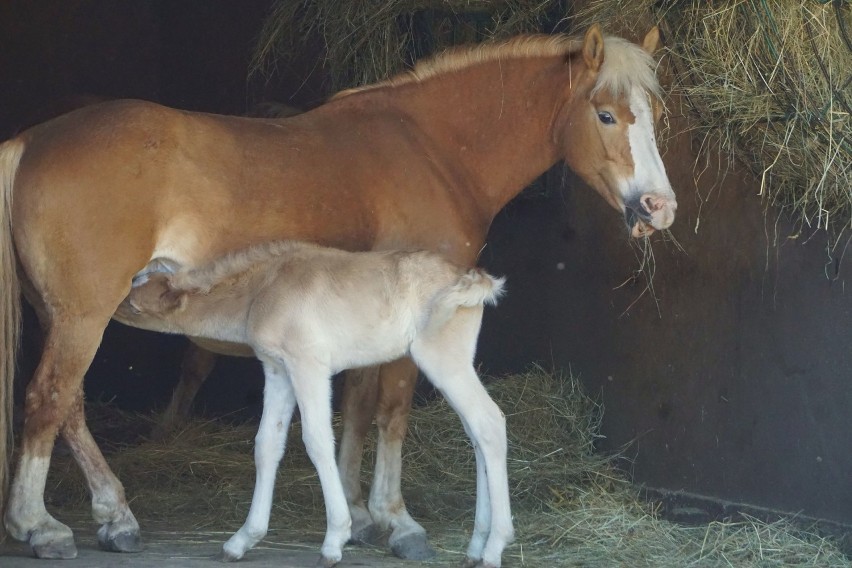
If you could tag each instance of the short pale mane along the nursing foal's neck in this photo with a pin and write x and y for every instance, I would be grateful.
(233, 265)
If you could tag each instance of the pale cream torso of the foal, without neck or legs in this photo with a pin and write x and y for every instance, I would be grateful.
(352, 309)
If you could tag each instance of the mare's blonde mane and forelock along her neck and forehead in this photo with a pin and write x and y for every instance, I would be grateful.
(625, 63)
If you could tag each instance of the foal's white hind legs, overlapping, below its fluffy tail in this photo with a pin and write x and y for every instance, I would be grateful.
(446, 358)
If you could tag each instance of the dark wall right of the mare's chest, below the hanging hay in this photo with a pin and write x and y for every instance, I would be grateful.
(734, 382)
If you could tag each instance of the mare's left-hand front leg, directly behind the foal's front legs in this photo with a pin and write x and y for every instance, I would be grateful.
(360, 390)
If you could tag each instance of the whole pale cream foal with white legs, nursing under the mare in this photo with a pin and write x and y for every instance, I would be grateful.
(309, 312)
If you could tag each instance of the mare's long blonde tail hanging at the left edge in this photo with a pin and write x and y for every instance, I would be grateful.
(10, 305)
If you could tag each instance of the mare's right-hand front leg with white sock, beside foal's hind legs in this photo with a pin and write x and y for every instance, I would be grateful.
(396, 389)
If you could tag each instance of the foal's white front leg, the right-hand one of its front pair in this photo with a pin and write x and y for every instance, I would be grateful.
(312, 387)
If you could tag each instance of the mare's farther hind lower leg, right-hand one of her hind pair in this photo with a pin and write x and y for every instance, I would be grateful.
(119, 530)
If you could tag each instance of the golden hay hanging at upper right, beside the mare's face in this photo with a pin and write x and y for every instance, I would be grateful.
(770, 82)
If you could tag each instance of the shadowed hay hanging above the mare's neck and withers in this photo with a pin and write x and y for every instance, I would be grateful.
(370, 40)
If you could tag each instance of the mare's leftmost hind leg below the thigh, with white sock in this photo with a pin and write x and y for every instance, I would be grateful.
(69, 347)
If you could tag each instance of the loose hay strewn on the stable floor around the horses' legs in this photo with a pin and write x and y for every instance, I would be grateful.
(572, 507)
